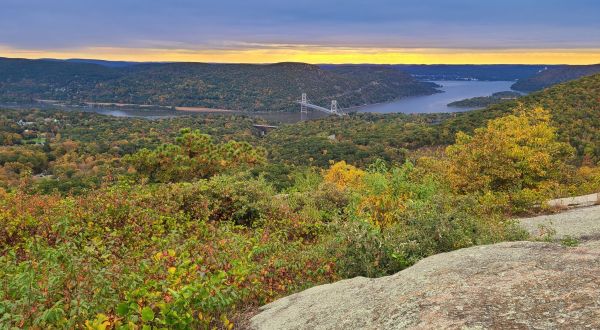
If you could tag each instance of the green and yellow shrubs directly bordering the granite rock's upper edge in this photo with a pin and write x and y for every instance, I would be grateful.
(399, 216)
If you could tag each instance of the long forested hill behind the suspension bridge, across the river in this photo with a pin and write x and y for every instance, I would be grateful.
(230, 86)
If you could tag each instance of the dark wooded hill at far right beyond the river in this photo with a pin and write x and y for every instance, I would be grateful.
(554, 75)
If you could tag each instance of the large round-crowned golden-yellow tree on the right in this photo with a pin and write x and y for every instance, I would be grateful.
(515, 152)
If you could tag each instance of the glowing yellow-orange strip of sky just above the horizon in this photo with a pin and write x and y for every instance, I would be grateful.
(315, 54)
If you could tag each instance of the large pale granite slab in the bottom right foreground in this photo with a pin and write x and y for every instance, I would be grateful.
(515, 285)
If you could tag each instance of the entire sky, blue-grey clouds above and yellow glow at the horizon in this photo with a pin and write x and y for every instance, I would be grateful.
(266, 31)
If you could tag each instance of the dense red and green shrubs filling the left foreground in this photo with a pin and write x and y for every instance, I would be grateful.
(184, 255)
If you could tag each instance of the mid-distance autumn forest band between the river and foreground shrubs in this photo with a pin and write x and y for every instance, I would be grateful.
(47, 139)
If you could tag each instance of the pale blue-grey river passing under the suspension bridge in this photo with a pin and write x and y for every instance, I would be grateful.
(435, 103)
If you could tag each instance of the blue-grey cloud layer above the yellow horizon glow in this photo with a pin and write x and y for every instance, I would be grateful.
(195, 25)
